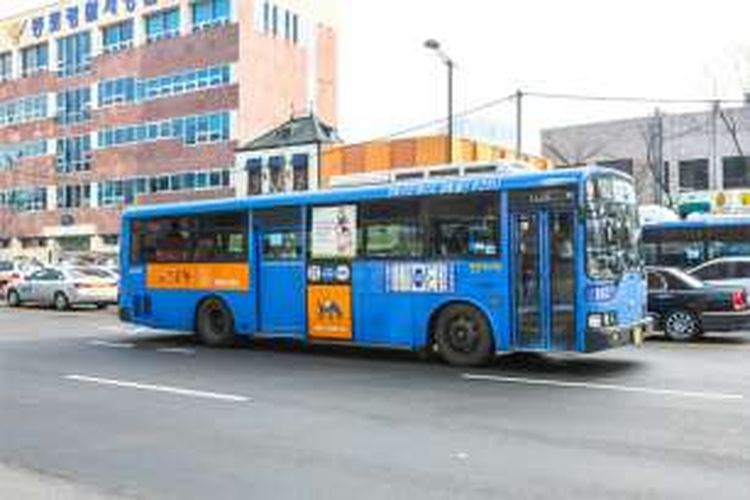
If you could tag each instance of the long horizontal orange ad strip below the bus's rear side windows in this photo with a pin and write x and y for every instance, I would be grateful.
(197, 276)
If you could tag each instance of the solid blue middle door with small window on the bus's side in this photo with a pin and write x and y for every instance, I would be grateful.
(280, 277)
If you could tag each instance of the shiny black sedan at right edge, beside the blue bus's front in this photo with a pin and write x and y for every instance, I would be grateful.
(685, 307)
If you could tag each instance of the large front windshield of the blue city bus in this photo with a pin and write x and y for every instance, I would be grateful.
(612, 228)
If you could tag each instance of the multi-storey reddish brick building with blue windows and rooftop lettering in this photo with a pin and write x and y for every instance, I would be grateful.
(105, 103)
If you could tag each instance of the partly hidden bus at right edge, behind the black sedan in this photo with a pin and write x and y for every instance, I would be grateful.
(689, 243)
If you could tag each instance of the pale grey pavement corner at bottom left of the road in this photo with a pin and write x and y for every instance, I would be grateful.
(20, 484)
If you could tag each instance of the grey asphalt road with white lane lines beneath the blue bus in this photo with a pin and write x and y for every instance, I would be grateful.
(102, 410)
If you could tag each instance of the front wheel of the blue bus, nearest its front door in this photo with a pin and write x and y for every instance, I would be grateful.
(463, 336)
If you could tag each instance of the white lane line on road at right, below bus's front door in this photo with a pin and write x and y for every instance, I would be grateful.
(602, 387)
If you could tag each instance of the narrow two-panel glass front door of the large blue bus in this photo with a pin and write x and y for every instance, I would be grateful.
(543, 278)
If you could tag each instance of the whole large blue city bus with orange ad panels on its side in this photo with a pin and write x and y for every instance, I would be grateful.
(464, 267)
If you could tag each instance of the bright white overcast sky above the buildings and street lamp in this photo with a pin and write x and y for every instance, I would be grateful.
(389, 82)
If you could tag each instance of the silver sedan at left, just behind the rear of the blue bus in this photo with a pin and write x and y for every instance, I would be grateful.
(65, 287)
